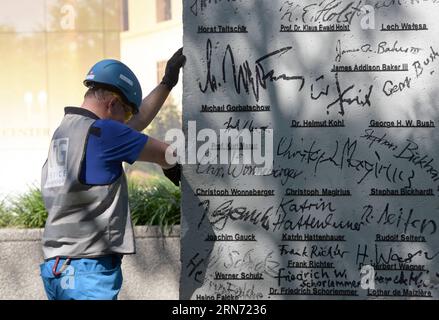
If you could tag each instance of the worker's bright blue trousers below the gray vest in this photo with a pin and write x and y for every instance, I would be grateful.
(83, 279)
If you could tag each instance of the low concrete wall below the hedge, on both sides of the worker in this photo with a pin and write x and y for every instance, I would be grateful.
(152, 273)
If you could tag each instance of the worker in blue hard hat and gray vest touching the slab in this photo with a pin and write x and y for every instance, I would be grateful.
(89, 227)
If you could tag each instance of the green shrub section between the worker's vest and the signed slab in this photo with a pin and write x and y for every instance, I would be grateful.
(155, 203)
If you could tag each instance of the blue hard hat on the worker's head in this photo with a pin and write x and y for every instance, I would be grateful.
(115, 76)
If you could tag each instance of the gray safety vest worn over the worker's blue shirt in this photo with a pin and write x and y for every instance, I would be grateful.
(84, 220)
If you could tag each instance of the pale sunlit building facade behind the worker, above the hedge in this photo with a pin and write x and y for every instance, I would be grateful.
(47, 48)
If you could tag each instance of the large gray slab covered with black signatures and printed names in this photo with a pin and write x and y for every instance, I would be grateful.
(349, 209)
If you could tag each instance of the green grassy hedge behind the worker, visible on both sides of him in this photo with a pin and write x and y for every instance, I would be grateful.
(156, 202)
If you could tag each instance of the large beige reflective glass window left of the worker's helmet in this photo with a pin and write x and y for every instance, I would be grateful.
(47, 48)
